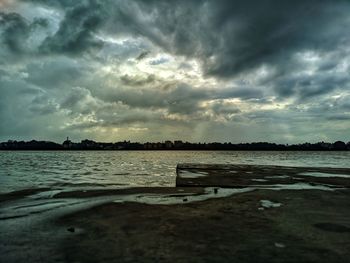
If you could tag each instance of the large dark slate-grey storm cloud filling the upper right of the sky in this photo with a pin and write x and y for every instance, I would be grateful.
(234, 36)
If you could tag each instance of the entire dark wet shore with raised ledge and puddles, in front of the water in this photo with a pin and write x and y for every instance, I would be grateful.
(271, 215)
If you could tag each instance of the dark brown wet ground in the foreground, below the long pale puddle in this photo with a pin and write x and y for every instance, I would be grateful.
(308, 226)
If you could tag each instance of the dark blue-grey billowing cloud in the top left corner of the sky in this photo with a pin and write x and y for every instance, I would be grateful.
(74, 35)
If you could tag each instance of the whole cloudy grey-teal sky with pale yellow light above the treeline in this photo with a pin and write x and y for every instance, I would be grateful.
(194, 70)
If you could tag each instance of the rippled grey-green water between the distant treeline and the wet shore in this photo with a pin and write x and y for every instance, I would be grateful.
(79, 169)
